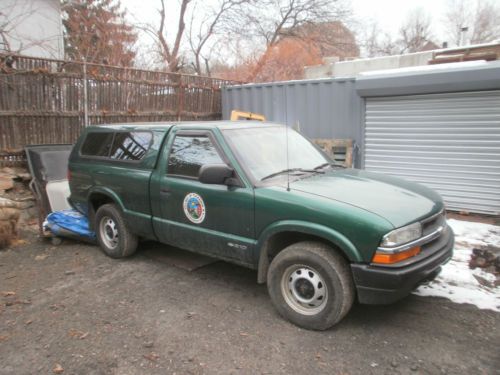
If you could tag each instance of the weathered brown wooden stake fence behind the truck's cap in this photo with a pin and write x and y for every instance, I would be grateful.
(51, 101)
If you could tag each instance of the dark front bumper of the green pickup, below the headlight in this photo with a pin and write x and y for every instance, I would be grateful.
(384, 285)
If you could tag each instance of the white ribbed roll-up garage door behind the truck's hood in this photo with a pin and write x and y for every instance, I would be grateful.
(449, 142)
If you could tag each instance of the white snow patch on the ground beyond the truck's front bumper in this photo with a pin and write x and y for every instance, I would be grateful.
(457, 281)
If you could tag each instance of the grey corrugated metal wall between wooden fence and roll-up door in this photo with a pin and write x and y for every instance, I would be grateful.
(327, 108)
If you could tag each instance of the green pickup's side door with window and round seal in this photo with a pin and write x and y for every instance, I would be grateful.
(211, 219)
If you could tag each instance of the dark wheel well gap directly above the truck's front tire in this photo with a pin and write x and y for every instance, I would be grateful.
(278, 242)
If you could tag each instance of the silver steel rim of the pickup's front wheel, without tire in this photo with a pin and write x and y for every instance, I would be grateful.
(304, 289)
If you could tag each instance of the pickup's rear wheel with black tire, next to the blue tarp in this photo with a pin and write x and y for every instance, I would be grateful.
(114, 238)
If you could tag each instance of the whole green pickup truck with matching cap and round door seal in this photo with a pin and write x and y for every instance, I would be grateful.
(264, 197)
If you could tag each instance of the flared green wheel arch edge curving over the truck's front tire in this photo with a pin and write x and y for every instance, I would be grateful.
(332, 236)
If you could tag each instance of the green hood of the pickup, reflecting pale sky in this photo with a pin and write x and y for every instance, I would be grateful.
(399, 201)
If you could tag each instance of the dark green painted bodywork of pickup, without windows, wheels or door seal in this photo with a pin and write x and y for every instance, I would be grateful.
(351, 209)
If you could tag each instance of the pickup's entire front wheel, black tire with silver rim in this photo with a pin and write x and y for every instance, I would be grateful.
(322, 269)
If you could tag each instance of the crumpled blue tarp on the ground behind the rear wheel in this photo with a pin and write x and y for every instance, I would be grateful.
(69, 223)
